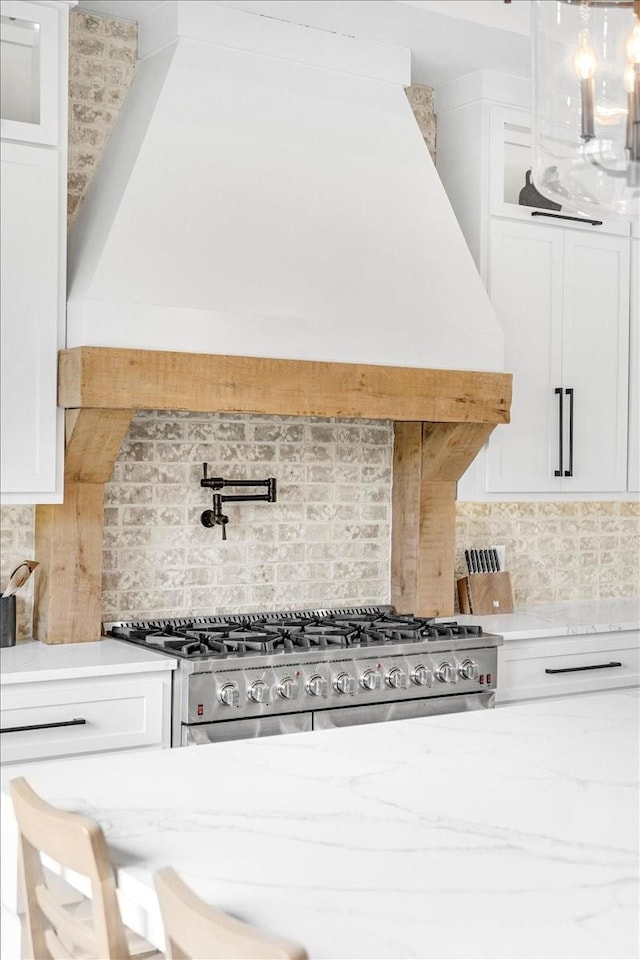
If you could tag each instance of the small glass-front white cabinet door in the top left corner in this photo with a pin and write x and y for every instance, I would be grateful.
(29, 61)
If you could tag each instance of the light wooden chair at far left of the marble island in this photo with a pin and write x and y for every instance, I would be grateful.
(59, 923)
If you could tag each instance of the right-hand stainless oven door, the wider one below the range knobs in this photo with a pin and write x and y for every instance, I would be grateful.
(404, 710)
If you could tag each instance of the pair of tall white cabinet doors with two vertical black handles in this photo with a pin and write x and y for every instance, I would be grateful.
(562, 297)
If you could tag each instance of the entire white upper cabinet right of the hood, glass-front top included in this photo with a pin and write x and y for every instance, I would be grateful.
(560, 285)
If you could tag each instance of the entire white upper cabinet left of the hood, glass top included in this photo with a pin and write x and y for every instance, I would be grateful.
(33, 243)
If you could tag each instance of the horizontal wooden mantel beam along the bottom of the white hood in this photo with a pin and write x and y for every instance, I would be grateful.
(105, 377)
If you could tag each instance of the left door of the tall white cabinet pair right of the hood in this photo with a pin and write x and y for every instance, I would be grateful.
(525, 286)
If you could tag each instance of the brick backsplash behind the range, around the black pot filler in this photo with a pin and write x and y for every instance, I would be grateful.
(325, 542)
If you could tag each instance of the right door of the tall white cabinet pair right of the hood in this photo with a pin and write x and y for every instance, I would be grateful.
(595, 354)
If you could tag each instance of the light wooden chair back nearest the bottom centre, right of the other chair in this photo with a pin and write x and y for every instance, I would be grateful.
(196, 931)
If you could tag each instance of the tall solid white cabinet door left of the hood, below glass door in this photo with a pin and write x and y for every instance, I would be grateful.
(30, 319)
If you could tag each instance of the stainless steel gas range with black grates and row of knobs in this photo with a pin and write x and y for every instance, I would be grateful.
(265, 673)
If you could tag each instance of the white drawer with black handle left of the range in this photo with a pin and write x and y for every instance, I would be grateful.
(92, 715)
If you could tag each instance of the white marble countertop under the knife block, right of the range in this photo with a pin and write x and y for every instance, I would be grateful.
(562, 619)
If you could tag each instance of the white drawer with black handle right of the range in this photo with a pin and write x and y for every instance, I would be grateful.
(557, 666)
